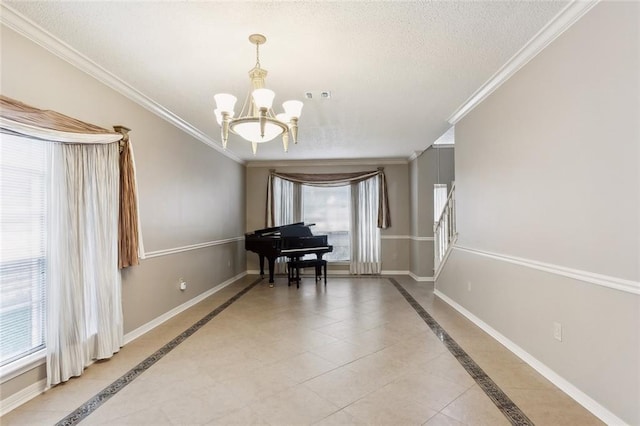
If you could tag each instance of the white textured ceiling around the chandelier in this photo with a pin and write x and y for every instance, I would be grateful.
(396, 70)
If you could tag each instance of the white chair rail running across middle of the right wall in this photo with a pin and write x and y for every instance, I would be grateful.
(621, 284)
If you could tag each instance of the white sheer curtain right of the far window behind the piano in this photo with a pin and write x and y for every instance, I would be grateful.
(365, 235)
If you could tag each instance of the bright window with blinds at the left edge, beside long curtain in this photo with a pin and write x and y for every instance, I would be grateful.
(22, 247)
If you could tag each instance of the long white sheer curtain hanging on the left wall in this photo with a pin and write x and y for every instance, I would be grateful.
(84, 312)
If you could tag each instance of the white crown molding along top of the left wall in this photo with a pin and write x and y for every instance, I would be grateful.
(38, 35)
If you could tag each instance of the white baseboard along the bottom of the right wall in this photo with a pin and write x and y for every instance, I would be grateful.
(583, 399)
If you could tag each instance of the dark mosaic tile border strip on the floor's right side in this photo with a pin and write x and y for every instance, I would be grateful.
(507, 407)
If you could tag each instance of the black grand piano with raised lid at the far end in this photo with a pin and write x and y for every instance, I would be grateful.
(294, 240)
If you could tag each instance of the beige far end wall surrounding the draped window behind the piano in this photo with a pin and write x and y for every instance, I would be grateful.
(395, 244)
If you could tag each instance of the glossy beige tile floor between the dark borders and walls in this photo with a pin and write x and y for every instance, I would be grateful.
(355, 352)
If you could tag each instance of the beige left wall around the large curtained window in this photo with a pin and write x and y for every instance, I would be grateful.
(189, 192)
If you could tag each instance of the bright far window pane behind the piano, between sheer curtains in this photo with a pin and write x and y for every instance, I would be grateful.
(329, 208)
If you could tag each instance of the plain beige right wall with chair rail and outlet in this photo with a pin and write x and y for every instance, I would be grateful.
(547, 171)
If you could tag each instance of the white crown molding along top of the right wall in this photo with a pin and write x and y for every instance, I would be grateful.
(554, 28)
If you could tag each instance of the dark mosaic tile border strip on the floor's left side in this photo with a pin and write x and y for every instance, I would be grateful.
(103, 396)
